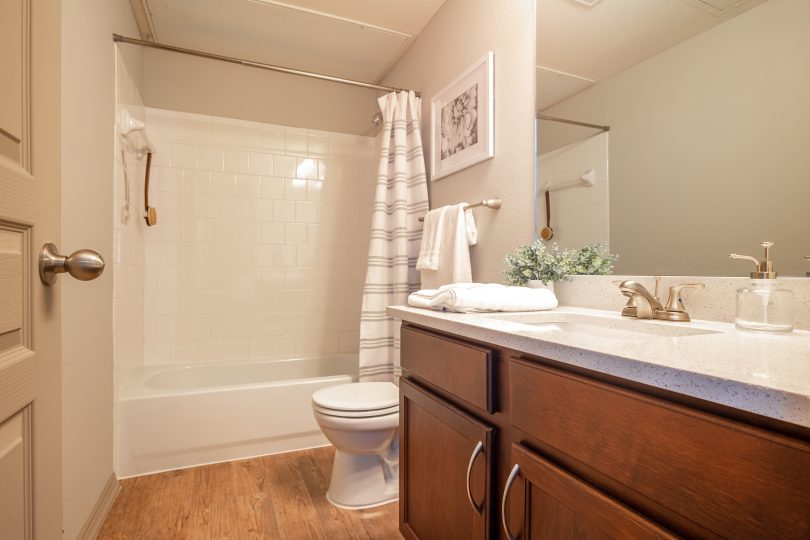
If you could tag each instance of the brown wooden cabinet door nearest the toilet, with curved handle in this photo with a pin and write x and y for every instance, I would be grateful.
(445, 469)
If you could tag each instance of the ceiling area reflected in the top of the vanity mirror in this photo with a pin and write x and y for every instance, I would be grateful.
(578, 46)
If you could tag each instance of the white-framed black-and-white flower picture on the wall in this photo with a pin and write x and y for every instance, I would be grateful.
(461, 120)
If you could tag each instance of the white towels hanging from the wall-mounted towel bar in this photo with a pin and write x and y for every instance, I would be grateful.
(448, 238)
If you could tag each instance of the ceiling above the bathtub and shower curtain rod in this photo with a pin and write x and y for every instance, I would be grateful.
(354, 39)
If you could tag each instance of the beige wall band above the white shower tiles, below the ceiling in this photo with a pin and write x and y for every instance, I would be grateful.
(185, 83)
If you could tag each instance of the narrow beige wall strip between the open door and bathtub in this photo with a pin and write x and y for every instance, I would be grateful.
(88, 109)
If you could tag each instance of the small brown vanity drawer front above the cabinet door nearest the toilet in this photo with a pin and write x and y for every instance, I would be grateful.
(462, 369)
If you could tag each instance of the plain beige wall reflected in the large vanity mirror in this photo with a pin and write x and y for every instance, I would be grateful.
(709, 147)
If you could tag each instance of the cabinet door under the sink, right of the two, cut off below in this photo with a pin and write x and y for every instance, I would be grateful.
(558, 505)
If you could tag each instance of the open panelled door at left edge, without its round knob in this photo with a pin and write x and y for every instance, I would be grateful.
(30, 424)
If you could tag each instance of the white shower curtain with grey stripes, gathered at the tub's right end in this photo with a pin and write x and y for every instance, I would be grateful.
(400, 198)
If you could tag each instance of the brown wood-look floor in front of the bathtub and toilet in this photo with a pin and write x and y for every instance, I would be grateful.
(273, 497)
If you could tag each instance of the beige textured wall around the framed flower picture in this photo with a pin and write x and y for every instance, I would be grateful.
(460, 33)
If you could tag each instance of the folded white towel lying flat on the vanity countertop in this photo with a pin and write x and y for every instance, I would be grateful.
(467, 297)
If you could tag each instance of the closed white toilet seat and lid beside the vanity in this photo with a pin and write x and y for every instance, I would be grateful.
(357, 400)
